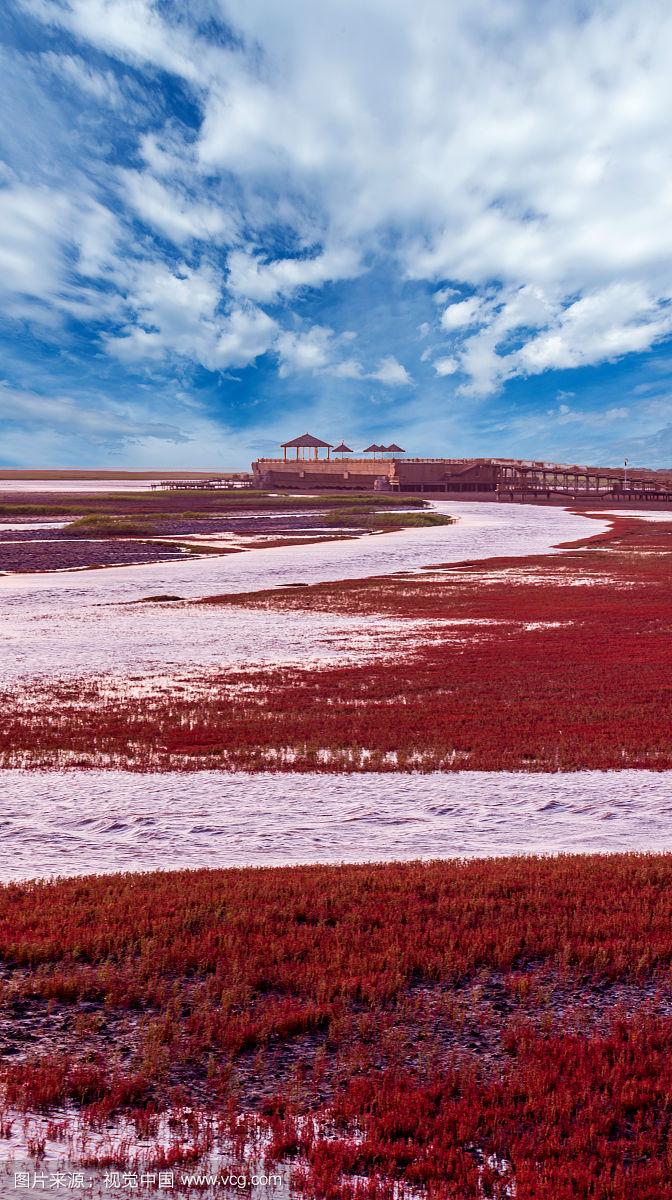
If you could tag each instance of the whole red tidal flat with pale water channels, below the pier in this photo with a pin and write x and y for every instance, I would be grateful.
(353, 847)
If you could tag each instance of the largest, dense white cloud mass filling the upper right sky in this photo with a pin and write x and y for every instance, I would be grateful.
(547, 178)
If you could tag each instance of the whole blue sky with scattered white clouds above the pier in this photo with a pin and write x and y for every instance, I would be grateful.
(224, 223)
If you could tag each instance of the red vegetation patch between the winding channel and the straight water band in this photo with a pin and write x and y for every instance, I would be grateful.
(555, 663)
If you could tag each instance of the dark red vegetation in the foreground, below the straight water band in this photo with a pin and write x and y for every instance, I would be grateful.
(460, 1027)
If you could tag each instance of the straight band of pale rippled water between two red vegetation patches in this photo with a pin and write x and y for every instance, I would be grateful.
(77, 823)
